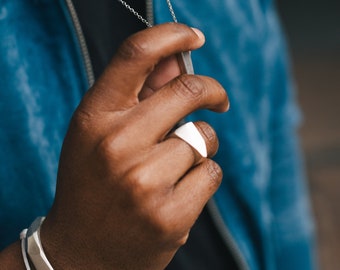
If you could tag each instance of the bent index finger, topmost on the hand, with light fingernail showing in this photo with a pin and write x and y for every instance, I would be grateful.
(123, 79)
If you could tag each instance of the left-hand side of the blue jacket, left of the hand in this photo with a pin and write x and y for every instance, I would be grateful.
(41, 83)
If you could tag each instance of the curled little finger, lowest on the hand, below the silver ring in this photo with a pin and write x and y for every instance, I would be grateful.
(192, 193)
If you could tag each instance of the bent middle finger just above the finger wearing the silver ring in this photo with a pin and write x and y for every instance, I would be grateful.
(173, 102)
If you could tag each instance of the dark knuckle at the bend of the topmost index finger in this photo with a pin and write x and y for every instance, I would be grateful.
(131, 49)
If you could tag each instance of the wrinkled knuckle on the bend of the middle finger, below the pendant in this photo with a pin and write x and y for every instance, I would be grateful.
(190, 87)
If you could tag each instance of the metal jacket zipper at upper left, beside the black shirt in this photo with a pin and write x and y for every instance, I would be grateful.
(82, 43)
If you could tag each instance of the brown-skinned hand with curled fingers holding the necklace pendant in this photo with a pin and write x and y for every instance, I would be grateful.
(128, 192)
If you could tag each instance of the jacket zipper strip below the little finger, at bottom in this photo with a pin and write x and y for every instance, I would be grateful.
(226, 235)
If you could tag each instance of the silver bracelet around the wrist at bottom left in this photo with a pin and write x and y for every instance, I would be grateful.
(31, 246)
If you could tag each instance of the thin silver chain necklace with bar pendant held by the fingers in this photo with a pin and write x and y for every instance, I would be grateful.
(184, 58)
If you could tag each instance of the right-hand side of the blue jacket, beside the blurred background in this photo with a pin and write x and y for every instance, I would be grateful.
(263, 196)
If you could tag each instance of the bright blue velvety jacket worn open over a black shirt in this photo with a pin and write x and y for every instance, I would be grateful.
(261, 208)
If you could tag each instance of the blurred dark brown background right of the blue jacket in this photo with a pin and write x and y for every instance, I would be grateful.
(313, 31)
